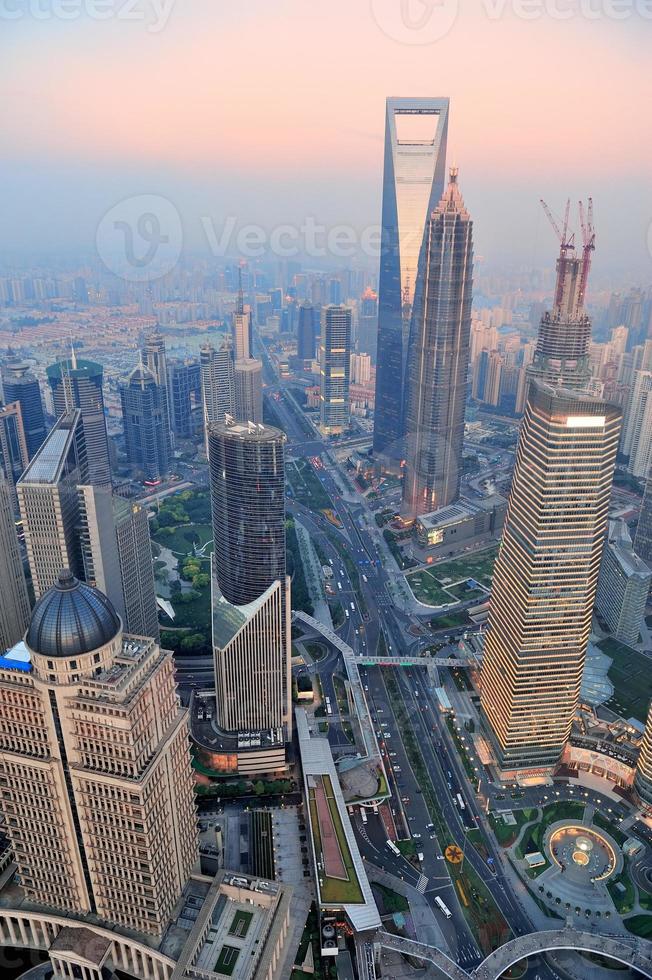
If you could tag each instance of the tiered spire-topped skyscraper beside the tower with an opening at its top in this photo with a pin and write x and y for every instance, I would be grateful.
(438, 360)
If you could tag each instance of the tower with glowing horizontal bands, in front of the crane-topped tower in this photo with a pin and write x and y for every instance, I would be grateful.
(546, 574)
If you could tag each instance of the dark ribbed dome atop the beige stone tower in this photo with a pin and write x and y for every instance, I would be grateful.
(71, 619)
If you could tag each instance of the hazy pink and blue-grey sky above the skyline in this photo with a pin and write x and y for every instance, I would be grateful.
(271, 111)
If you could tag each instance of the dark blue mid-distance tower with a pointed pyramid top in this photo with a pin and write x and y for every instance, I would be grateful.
(146, 424)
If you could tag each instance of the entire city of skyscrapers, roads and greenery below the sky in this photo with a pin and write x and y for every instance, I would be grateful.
(325, 613)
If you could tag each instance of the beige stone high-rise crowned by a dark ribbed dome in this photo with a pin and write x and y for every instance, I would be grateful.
(97, 784)
